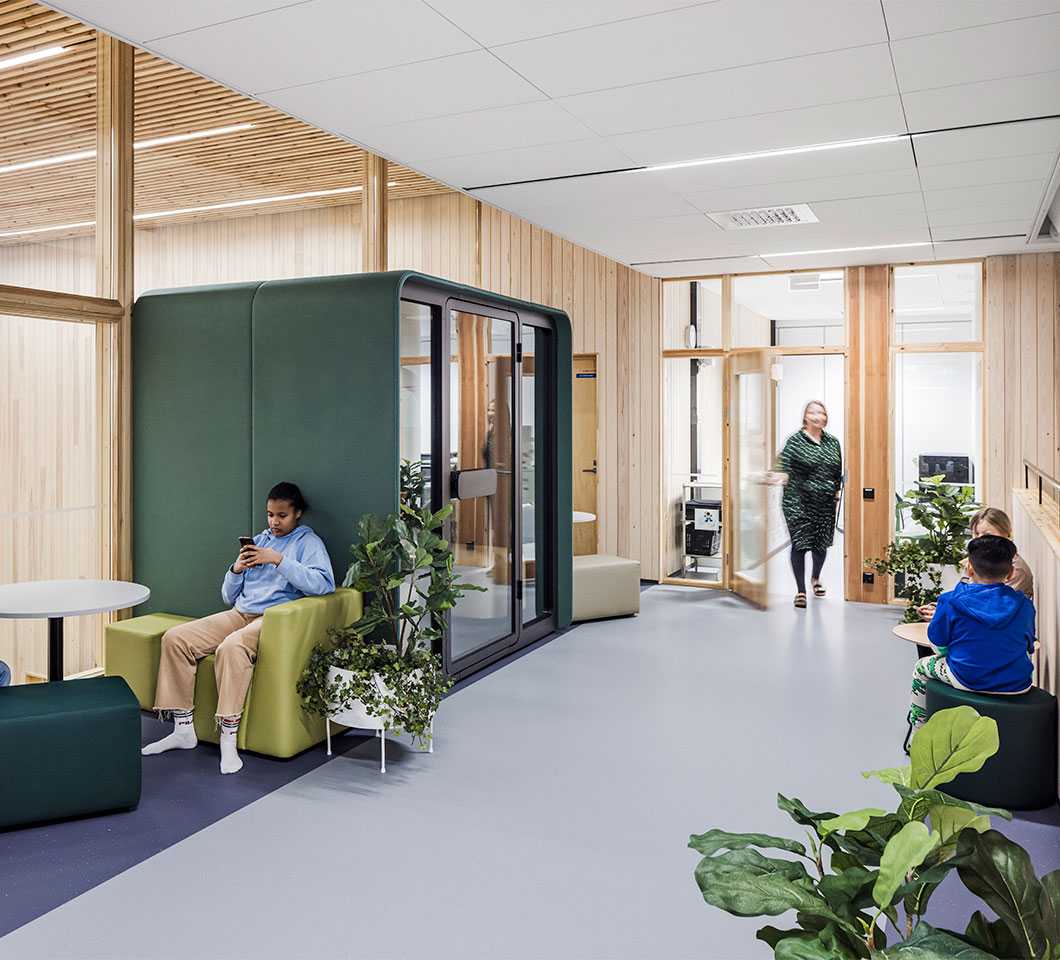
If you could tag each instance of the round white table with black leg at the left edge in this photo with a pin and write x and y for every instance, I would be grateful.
(52, 600)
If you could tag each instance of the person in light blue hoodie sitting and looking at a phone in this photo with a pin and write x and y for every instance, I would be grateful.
(288, 561)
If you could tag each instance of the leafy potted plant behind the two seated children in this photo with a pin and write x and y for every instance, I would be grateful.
(925, 565)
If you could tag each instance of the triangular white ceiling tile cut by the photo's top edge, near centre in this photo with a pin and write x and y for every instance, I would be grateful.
(505, 22)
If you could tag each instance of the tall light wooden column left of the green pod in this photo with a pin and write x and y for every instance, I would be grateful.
(114, 256)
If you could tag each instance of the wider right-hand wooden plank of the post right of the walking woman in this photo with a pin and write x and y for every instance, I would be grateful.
(877, 421)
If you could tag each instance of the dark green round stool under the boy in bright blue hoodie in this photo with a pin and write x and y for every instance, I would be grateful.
(1022, 775)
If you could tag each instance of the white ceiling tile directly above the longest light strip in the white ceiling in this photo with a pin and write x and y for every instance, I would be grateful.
(849, 121)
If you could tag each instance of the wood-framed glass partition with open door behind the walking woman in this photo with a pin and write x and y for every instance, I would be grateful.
(786, 333)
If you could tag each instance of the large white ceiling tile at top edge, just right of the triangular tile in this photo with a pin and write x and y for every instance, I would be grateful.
(713, 37)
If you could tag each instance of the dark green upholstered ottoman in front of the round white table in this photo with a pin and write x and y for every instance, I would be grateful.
(67, 750)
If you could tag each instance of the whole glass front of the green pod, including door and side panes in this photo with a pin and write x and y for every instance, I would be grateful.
(478, 428)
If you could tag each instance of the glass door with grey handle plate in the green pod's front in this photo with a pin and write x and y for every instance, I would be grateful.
(484, 473)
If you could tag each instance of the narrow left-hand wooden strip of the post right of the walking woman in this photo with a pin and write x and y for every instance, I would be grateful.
(854, 556)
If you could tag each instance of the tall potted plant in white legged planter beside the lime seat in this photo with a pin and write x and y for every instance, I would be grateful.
(381, 672)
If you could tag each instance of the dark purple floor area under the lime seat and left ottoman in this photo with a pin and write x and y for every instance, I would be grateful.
(43, 867)
